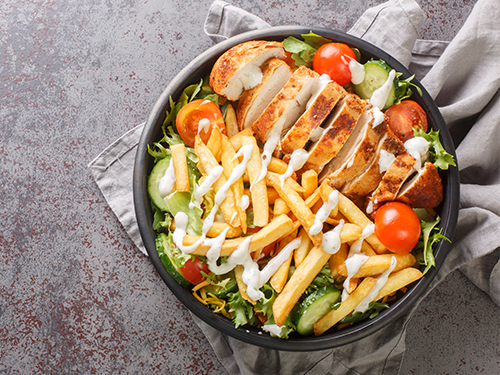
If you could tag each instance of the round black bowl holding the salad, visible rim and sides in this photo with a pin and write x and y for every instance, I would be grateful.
(152, 132)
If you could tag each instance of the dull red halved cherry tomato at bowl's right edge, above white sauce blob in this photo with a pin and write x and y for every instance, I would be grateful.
(405, 116)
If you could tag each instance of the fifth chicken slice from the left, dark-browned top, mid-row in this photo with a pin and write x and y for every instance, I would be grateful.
(335, 131)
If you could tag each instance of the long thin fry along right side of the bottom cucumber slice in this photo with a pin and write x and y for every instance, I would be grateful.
(346, 307)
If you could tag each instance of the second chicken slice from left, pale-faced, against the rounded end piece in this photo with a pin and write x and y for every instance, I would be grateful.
(275, 74)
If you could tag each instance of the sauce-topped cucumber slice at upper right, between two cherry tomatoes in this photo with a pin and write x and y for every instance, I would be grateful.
(376, 73)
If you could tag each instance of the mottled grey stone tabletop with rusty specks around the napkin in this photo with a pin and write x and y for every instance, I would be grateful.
(75, 294)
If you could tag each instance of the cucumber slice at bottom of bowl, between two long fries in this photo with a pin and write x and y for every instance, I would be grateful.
(314, 307)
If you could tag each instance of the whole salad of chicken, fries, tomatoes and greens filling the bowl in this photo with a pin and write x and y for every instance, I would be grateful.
(266, 224)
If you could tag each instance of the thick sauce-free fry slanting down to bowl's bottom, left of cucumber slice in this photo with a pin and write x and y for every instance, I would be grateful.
(300, 280)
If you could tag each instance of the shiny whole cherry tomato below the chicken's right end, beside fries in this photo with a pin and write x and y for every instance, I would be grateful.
(397, 226)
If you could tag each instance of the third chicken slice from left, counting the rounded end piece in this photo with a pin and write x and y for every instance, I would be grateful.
(287, 106)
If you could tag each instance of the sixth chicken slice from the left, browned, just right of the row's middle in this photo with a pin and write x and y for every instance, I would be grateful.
(353, 159)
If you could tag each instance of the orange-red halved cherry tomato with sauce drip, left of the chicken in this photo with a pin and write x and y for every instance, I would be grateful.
(189, 118)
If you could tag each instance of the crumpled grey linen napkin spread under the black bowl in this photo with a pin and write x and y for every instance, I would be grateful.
(463, 76)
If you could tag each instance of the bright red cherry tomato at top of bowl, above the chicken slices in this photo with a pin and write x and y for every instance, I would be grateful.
(333, 59)
